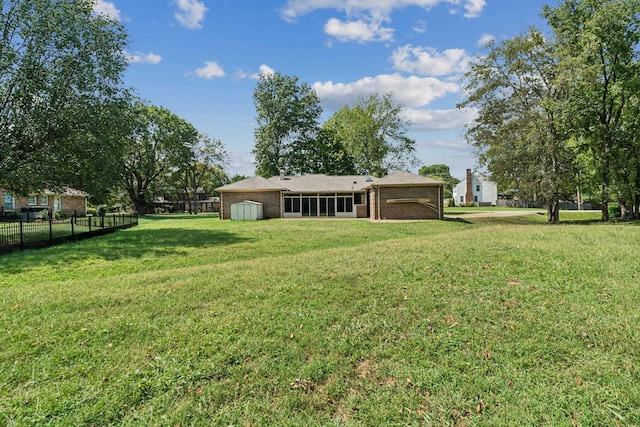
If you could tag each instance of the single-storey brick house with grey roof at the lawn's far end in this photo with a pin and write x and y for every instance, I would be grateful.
(400, 195)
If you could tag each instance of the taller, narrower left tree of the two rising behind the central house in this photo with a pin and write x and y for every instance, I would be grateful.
(287, 112)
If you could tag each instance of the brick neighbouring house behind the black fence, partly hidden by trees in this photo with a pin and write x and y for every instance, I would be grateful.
(70, 201)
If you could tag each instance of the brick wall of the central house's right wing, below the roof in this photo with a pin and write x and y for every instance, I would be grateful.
(406, 210)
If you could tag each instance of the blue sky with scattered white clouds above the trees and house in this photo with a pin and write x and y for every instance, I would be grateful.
(200, 59)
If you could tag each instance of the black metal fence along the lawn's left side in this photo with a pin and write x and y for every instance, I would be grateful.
(21, 235)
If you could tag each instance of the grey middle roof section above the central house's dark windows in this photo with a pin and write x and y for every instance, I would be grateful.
(320, 183)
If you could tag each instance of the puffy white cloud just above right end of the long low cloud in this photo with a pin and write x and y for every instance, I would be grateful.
(428, 61)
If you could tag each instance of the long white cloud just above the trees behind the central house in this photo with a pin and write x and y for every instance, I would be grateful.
(411, 91)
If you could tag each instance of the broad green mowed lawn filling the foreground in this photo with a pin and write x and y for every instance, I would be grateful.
(195, 321)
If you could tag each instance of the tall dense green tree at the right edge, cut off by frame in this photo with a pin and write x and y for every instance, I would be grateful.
(597, 47)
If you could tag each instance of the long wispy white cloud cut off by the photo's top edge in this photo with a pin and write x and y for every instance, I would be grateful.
(296, 8)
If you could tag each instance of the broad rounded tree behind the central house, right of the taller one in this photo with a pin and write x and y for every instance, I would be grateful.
(374, 133)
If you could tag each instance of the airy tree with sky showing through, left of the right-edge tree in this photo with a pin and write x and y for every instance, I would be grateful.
(517, 134)
